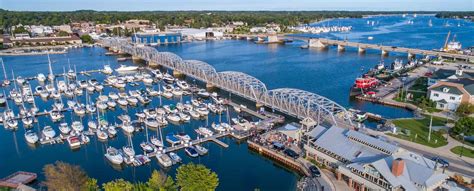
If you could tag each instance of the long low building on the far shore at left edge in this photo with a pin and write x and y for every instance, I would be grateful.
(40, 41)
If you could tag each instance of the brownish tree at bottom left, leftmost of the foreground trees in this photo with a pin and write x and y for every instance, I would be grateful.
(63, 176)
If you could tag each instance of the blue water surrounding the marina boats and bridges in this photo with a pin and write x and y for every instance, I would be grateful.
(327, 73)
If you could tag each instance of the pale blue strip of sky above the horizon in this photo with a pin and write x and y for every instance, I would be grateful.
(170, 5)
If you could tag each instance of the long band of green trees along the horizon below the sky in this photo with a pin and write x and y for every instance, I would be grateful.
(195, 19)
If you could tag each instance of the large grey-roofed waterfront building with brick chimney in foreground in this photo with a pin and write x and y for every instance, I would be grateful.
(368, 163)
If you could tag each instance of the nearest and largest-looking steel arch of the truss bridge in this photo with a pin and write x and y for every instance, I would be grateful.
(303, 104)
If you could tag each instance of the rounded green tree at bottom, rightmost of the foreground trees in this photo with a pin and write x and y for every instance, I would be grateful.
(191, 177)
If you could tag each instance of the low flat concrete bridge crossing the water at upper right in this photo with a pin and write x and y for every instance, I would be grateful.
(384, 49)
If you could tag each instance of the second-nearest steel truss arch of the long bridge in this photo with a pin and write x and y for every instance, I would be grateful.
(241, 84)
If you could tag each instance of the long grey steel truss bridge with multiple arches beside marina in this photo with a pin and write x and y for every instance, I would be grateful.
(294, 102)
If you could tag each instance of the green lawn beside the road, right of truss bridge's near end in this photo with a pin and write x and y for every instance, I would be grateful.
(419, 131)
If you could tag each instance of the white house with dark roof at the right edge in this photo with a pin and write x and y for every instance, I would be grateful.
(449, 94)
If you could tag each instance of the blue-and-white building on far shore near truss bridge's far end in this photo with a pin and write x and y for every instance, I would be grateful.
(156, 38)
